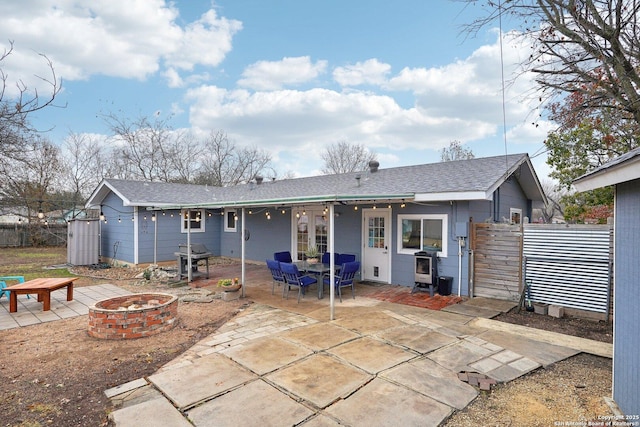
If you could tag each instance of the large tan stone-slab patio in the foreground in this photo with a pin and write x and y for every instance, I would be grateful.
(375, 364)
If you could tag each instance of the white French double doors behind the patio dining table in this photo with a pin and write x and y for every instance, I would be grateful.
(311, 228)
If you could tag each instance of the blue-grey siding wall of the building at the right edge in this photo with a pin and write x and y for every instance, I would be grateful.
(626, 368)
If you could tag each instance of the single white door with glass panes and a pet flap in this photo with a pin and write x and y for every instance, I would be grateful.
(376, 256)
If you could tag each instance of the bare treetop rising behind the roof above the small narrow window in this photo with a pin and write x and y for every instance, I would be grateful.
(224, 164)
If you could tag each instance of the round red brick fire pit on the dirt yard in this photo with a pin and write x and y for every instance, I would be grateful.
(133, 316)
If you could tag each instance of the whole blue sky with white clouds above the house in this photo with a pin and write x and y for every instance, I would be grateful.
(290, 77)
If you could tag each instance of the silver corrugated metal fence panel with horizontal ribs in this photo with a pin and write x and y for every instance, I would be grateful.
(569, 265)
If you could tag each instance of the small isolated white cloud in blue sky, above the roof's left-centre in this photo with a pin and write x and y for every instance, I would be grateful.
(273, 75)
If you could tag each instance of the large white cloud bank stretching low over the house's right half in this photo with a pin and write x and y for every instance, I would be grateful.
(461, 101)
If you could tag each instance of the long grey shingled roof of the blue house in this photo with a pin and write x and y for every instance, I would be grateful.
(473, 179)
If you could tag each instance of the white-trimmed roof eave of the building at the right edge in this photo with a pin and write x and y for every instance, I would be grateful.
(621, 169)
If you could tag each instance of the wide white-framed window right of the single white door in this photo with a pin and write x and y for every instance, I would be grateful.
(422, 233)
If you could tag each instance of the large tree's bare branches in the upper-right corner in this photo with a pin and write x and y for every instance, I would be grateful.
(586, 46)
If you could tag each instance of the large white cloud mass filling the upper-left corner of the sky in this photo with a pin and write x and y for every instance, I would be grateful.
(117, 38)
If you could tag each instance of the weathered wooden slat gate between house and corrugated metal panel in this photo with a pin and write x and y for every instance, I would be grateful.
(497, 260)
